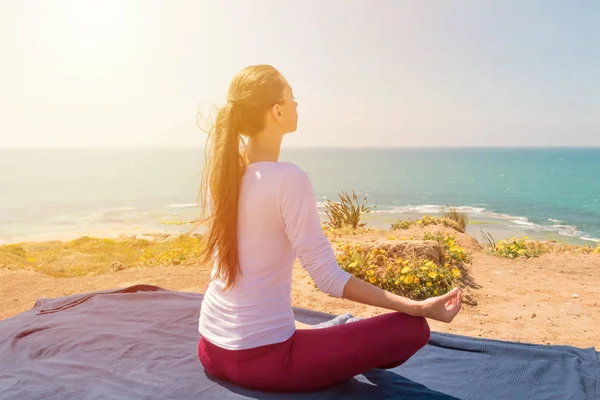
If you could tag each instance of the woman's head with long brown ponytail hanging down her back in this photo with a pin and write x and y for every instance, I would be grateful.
(259, 102)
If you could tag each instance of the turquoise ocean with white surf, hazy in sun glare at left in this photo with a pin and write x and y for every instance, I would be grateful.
(545, 193)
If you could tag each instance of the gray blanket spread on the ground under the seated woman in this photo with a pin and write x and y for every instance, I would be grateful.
(140, 343)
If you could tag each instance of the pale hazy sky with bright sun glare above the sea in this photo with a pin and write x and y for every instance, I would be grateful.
(365, 73)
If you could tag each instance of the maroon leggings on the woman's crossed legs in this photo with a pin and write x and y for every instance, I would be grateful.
(316, 358)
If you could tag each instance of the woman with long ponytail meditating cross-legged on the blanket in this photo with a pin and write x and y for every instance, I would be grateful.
(263, 215)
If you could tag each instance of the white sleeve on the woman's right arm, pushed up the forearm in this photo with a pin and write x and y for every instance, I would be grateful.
(298, 206)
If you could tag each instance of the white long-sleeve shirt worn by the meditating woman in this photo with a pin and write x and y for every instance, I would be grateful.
(277, 222)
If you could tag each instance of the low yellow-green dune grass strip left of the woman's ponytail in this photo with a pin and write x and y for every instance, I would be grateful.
(94, 256)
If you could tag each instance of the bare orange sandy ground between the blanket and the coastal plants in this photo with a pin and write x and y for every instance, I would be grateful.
(553, 299)
